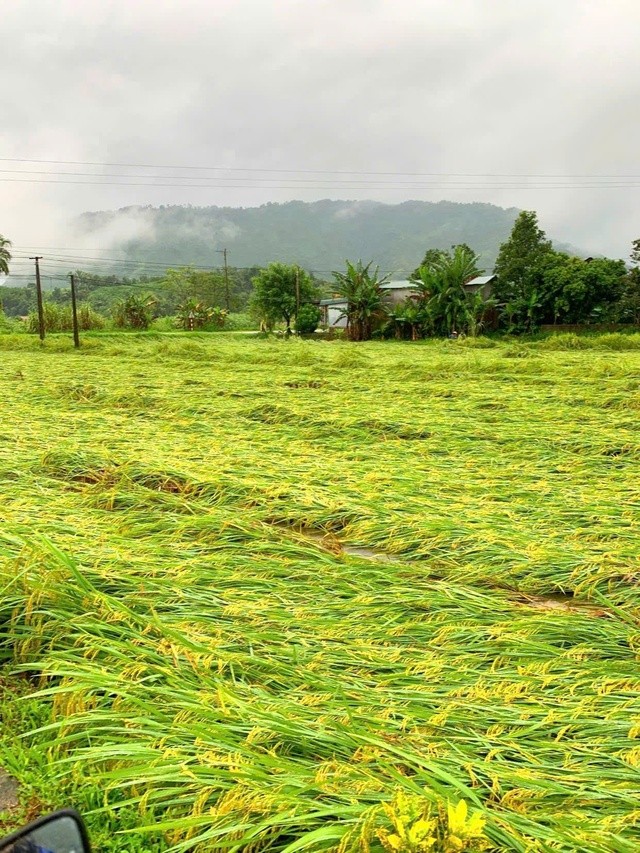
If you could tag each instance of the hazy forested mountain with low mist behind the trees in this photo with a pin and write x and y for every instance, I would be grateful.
(318, 235)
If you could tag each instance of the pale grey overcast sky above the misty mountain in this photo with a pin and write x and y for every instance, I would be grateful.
(466, 93)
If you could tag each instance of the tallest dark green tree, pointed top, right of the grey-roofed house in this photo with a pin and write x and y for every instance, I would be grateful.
(520, 258)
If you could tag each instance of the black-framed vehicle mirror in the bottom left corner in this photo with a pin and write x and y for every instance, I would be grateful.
(61, 832)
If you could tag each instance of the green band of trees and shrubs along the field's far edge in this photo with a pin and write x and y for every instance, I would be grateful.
(535, 285)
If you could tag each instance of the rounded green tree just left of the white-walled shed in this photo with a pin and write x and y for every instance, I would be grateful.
(278, 290)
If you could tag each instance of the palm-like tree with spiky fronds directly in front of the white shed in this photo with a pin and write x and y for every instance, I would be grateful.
(362, 290)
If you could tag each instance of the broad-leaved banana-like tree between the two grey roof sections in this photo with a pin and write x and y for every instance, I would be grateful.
(446, 303)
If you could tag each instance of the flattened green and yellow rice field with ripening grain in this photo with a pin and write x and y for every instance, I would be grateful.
(316, 596)
